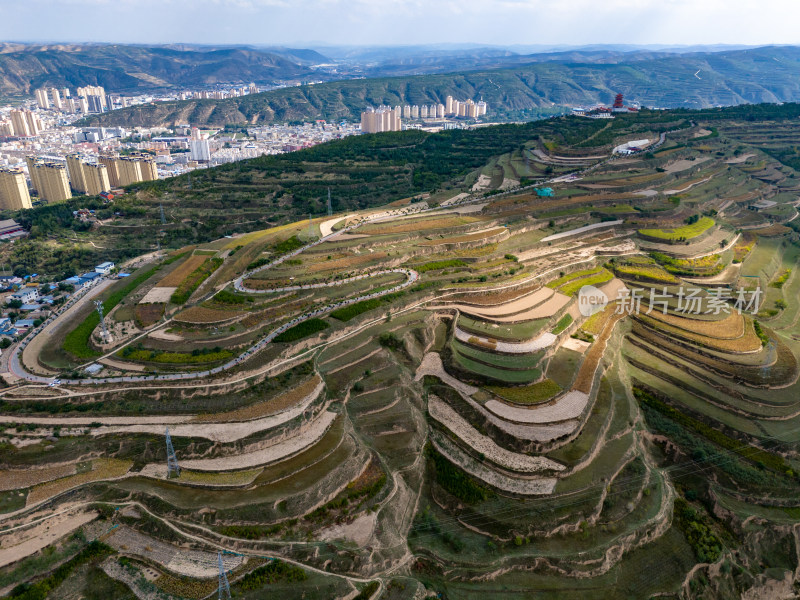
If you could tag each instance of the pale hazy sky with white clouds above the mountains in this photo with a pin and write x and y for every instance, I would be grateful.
(391, 22)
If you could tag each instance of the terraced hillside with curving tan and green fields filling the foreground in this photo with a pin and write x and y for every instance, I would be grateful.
(412, 401)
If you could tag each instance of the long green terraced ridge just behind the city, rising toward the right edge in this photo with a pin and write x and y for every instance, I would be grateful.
(691, 79)
